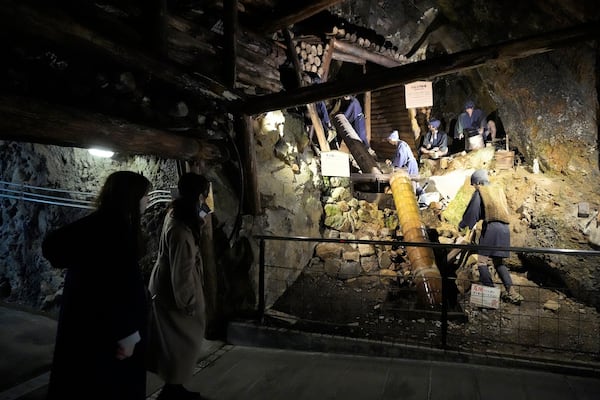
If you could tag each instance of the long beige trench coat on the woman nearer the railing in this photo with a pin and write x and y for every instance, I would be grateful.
(178, 318)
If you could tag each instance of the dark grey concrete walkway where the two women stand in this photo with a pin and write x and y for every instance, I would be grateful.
(246, 372)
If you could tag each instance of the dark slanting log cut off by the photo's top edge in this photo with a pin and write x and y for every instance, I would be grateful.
(294, 12)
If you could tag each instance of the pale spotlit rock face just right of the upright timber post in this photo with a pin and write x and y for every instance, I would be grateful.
(290, 191)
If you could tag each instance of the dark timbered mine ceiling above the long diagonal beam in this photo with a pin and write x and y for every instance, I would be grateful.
(157, 77)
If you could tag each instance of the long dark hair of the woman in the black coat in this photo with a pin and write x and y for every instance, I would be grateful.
(121, 195)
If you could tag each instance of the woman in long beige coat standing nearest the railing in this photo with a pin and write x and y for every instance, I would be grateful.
(176, 286)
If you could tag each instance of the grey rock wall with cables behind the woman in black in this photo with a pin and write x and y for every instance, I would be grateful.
(26, 276)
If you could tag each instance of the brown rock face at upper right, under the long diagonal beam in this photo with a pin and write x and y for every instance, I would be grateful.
(549, 108)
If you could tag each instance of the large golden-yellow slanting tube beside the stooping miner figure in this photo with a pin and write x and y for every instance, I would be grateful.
(425, 272)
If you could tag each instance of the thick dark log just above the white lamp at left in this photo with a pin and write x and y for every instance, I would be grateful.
(26, 120)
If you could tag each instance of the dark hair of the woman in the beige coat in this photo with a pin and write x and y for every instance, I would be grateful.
(185, 207)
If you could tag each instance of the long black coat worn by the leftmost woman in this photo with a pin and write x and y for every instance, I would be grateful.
(104, 300)
